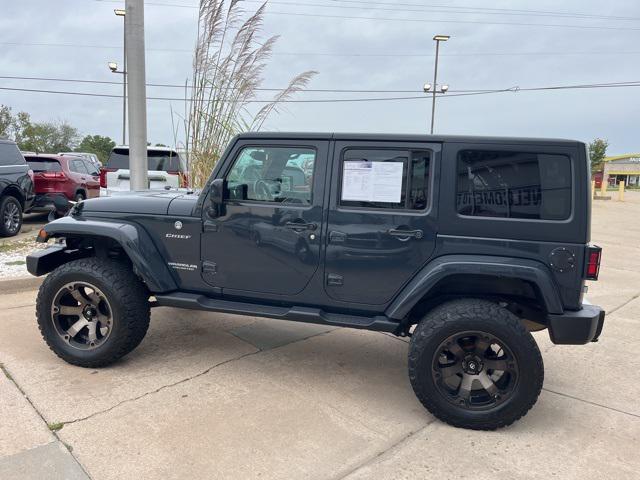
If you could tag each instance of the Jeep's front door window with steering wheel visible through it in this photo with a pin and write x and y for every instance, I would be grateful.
(273, 174)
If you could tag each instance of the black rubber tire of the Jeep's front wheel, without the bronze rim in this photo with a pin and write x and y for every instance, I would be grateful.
(127, 296)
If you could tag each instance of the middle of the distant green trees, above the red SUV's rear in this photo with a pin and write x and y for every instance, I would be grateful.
(49, 137)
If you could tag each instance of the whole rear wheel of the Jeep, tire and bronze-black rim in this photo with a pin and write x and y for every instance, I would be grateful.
(473, 365)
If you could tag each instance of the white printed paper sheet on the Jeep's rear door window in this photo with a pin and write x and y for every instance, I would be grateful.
(372, 181)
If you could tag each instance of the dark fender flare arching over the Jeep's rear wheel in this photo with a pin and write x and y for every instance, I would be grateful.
(531, 271)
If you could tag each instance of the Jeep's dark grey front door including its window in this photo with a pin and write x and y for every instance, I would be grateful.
(268, 238)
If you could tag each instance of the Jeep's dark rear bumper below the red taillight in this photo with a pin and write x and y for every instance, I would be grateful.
(576, 328)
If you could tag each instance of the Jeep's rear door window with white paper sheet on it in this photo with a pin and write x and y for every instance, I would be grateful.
(396, 179)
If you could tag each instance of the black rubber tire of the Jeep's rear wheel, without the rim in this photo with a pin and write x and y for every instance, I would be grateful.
(479, 315)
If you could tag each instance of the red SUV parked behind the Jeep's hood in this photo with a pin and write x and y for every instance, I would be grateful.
(73, 177)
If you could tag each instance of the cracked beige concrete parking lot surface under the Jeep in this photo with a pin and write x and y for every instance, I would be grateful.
(218, 396)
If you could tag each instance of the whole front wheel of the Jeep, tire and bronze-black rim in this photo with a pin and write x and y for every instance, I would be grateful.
(92, 312)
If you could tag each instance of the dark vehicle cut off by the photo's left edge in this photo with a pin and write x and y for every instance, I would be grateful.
(16, 188)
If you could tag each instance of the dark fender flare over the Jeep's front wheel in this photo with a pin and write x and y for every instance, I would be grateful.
(134, 240)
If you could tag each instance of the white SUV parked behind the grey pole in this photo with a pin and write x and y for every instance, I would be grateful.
(166, 168)
